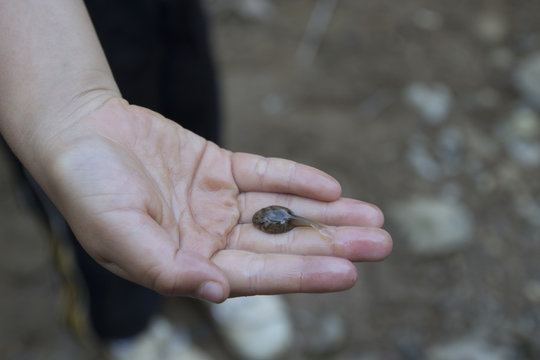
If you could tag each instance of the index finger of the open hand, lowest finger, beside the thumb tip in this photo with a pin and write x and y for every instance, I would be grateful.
(251, 274)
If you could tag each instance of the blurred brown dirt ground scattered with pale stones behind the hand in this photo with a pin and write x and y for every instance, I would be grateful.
(429, 109)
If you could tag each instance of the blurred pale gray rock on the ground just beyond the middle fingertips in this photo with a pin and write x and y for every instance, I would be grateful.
(433, 226)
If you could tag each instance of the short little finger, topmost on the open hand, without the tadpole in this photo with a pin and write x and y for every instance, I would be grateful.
(260, 174)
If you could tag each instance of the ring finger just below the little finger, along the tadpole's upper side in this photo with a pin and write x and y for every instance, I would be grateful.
(342, 212)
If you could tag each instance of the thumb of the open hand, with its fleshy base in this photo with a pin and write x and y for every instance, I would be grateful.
(140, 250)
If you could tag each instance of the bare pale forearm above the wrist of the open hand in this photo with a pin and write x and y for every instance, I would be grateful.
(52, 72)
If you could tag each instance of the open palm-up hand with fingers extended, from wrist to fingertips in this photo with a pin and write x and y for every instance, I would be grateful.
(161, 206)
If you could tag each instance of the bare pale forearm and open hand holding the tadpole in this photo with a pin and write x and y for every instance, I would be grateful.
(151, 201)
